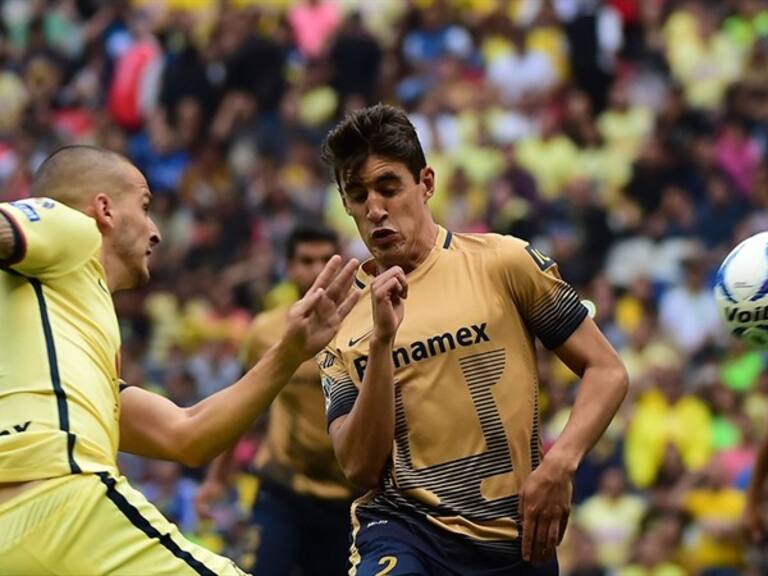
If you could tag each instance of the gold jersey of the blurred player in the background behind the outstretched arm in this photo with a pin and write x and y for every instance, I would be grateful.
(297, 452)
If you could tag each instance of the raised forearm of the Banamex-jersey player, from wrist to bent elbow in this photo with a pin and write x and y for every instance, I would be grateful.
(364, 441)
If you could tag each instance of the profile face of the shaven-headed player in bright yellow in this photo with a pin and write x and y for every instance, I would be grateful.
(135, 233)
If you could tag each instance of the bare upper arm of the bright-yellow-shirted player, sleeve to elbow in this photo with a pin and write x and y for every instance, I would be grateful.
(150, 424)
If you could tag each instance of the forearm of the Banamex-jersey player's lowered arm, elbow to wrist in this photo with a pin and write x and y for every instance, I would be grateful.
(601, 392)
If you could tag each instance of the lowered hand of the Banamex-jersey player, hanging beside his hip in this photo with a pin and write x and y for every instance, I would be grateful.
(545, 503)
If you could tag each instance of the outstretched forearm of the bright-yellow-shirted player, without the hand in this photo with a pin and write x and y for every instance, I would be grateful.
(214, 424)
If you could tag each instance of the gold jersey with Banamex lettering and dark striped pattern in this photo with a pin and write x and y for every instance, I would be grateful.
(466, 386)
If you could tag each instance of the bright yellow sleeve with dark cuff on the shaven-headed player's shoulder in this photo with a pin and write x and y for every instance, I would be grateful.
(51, 238)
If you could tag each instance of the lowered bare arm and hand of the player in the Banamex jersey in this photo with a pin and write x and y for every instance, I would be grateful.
(545, 498)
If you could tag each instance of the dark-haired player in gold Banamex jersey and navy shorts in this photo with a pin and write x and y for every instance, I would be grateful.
(431, 382)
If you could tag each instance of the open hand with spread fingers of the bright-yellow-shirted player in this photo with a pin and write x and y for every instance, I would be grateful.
(314, 319)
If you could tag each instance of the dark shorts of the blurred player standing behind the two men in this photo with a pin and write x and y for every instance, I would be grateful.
(299, 532)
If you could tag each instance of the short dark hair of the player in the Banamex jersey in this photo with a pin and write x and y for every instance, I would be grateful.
(379, 130)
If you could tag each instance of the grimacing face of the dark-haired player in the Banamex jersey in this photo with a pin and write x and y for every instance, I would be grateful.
(390, 210)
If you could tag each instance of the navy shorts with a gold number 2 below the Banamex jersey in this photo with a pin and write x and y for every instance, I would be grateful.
(390, 547)
